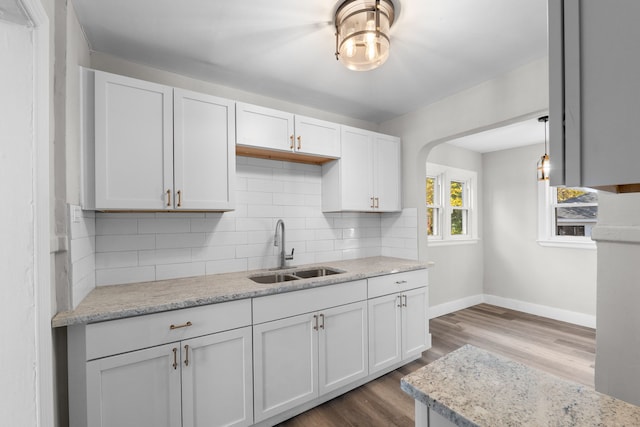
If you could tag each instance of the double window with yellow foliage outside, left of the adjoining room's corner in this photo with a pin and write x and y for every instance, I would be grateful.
(450, 196)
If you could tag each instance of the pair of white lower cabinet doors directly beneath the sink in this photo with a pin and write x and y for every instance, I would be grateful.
(300, 358)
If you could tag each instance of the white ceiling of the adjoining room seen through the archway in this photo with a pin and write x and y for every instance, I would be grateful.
(515, 135)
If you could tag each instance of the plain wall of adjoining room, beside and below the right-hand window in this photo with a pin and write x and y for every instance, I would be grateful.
(515, 265)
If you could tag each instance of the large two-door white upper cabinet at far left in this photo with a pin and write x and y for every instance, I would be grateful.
(152, 147)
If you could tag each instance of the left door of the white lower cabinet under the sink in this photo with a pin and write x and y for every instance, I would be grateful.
(285, 367)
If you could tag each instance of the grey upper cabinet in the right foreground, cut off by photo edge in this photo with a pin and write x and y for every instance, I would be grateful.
(594, 98)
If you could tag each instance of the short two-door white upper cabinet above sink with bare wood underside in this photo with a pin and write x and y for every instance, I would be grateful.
(262, 130)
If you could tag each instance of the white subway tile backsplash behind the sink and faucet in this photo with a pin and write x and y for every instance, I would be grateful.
(136, 247)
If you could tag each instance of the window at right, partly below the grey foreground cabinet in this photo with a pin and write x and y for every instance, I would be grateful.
(566, 216)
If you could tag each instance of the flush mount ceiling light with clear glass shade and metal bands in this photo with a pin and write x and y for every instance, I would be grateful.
(362, 33)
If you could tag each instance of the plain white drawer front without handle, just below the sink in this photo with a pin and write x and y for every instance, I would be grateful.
(289, 304)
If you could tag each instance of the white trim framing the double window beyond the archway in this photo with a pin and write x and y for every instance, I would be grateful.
(444, 175)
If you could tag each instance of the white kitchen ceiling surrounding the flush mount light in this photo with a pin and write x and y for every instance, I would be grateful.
(285, 48)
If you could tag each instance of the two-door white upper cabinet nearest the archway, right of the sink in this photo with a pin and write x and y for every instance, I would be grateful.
(367, 176)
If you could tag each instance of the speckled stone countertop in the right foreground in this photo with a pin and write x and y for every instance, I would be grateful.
(473, 387)
